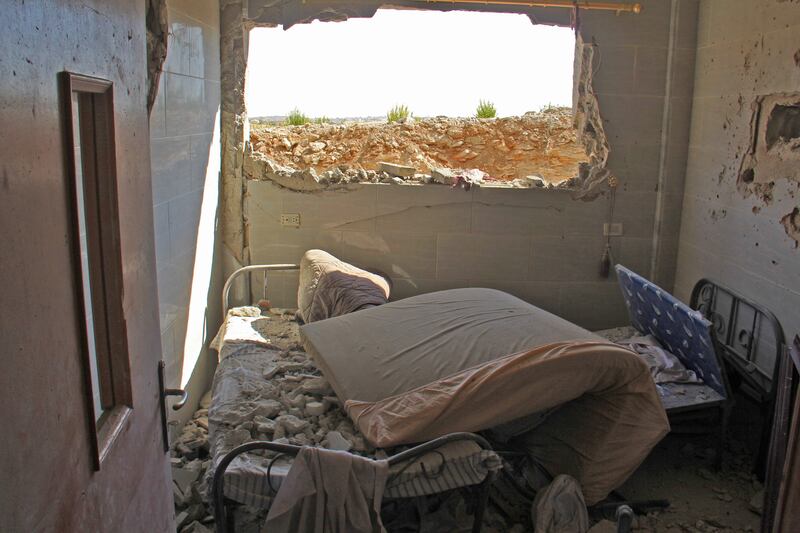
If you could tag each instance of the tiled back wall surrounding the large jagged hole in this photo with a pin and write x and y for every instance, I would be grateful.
(624, 63)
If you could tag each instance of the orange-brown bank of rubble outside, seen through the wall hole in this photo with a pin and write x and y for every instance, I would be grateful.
(536, 149)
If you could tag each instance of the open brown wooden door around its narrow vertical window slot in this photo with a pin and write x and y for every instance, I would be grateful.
(47, 477)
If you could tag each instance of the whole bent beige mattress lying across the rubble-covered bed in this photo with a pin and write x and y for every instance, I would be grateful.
(470, 359)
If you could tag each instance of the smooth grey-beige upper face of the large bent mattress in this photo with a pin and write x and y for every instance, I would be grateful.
(387, 350)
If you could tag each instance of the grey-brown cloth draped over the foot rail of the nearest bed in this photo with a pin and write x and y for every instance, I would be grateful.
(328, 491)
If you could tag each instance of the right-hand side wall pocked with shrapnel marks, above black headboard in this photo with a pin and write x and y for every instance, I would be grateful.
(744, 49)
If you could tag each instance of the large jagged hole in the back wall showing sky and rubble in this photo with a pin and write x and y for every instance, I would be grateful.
(320, 96)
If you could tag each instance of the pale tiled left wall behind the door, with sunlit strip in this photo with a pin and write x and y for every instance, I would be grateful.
(184, 157)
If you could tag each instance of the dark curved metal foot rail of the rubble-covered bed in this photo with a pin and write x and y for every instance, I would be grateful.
(223, 519)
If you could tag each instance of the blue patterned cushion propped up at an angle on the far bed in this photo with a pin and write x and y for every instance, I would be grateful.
(681, 330)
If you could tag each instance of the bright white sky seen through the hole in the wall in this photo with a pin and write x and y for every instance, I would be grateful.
(435, 63)
